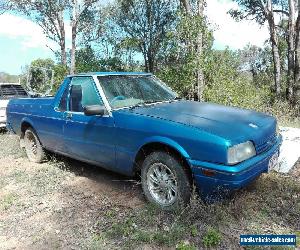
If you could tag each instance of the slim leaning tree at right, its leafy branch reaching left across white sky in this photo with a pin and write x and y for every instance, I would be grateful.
(263, 11)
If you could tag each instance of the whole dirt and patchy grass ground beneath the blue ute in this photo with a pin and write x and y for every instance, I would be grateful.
(66, 204)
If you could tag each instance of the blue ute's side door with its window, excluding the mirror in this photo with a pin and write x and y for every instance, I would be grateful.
(90, 138)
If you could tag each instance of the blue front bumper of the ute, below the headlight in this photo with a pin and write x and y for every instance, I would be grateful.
(225, 179)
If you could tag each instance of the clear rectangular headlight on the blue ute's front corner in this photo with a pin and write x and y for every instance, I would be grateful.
(240, 152)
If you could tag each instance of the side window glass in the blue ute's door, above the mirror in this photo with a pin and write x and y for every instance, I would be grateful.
(83, 93)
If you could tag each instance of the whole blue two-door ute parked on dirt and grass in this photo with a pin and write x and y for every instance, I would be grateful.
(134, 124)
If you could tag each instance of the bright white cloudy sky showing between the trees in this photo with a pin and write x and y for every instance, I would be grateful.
(22, 40)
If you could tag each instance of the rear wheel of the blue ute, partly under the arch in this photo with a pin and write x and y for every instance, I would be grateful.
(33, 147)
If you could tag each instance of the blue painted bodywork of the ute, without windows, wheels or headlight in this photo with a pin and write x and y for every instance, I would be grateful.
(201, 132)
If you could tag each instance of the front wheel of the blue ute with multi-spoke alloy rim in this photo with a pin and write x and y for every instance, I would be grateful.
(165, 182)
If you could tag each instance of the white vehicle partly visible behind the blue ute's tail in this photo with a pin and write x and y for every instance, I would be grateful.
(9, 91)
